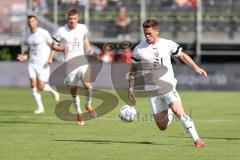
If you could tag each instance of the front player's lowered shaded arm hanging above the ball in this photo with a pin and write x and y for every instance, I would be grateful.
(132, 75)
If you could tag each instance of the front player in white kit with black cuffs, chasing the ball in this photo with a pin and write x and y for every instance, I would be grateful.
(156, 50)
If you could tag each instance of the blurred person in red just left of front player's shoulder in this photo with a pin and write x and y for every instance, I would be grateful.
(126, 52)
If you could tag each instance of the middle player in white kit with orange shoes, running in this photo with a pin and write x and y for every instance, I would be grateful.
(71, 40)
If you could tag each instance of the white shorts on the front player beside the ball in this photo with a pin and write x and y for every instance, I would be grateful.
(160, 103)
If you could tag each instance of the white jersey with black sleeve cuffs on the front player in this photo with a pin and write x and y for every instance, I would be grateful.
(158, 53)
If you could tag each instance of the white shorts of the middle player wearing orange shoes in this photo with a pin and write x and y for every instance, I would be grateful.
(74, 78)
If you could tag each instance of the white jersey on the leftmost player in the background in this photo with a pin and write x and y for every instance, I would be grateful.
(39, 48)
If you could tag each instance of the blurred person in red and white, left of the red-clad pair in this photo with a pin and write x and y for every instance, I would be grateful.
(106, 55)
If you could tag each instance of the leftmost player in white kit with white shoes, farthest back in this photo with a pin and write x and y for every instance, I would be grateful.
(39, 42)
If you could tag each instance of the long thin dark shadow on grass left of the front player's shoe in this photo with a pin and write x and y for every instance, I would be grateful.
(116, 142)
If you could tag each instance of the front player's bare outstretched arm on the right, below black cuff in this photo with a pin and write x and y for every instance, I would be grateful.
(188, 60)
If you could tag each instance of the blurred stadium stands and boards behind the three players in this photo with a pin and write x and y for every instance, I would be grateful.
(208, 30)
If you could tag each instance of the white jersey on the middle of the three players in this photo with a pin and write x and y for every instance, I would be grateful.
(71, 39)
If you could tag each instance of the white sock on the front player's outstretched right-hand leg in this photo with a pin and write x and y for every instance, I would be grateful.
(189, 126)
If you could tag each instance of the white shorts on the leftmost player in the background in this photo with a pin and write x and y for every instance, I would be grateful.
(39, 72)
